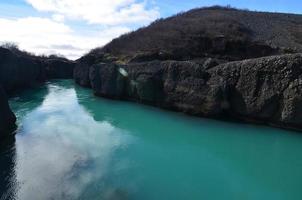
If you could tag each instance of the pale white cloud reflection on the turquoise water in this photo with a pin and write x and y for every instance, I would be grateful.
(61, 150)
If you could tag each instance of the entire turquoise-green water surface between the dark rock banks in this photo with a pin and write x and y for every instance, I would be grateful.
(72, 145)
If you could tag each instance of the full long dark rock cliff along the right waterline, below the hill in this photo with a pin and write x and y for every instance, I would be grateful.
(265, 90)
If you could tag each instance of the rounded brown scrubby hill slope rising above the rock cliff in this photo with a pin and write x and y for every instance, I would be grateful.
(212, 32)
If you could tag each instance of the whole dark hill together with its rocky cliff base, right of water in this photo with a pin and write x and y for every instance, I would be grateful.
(212, 62)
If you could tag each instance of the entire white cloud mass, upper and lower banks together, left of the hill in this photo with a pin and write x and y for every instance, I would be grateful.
(94, 23)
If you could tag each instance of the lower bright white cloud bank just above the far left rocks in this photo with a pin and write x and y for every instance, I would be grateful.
(46, 36)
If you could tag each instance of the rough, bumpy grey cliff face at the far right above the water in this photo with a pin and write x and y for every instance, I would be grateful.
(266, 89)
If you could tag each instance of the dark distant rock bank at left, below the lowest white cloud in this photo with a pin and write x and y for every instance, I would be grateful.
(19, 71)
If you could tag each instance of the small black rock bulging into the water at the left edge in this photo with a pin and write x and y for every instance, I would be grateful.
(7, 117)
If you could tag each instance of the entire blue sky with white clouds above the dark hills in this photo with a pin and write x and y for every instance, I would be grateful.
(73, 27)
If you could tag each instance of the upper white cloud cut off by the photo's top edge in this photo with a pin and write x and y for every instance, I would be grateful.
(105, 12)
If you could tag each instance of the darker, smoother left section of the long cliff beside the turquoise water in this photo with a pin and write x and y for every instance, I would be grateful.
(171, 84)
